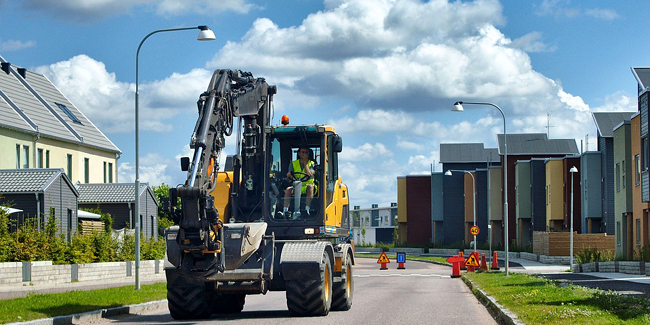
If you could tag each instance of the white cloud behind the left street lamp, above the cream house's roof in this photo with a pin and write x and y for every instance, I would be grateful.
(109, 104)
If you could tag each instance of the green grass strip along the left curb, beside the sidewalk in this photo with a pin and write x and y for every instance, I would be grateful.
(36, 306)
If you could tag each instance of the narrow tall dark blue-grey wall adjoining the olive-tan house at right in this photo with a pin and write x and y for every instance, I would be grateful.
(606, 147)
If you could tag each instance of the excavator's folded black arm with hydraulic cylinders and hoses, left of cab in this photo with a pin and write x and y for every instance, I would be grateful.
(231, 94)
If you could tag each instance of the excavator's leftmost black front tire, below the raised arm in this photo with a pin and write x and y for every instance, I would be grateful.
(187, 298)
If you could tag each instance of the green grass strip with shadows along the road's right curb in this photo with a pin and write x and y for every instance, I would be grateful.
(537, 300)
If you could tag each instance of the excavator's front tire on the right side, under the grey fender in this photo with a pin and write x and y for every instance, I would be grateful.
(311, 297)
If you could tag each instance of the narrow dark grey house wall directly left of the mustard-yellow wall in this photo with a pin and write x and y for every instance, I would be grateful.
(538, 194)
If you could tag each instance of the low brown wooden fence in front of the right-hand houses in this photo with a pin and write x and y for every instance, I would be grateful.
(558, 243)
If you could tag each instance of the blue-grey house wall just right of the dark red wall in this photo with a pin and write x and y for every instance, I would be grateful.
(592, 207)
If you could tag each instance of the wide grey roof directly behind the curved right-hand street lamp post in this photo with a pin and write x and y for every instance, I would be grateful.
(537, 144)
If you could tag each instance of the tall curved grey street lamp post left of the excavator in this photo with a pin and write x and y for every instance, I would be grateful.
(205, 34)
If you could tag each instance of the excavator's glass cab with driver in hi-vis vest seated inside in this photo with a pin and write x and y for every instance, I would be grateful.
(299, 204)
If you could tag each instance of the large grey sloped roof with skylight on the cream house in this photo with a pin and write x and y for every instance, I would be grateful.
(30, 103)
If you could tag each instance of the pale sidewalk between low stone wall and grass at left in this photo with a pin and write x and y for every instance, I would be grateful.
(17, 291)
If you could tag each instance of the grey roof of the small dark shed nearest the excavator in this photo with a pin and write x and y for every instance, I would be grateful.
(111, 193)
